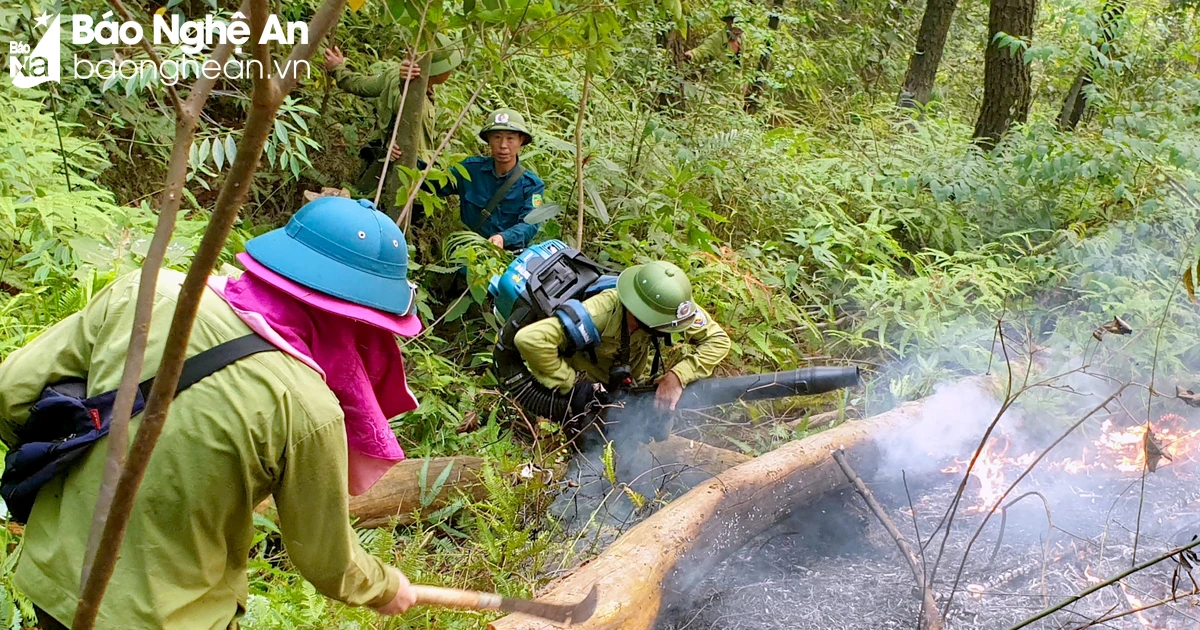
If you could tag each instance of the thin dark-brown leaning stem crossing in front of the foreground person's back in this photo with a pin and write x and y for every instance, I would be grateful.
(267, 98)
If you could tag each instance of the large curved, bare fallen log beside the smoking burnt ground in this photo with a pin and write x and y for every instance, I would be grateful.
(673, 550)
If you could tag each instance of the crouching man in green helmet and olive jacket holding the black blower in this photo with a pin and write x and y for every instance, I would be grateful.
(652, 304)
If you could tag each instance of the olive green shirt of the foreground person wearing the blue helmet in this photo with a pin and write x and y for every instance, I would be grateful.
(265, 425)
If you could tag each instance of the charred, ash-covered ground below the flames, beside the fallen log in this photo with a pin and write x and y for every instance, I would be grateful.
(833, 567)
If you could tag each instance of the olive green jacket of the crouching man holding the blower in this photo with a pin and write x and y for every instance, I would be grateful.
(543, 343)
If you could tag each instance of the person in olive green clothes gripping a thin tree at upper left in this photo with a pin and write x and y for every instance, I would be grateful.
(386, 85)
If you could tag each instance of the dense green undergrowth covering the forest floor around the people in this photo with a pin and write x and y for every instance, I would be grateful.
(827, 227)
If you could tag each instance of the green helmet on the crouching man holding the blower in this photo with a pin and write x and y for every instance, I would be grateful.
(659, 296)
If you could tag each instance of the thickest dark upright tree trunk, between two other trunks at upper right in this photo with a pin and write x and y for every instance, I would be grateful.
(1007, 86)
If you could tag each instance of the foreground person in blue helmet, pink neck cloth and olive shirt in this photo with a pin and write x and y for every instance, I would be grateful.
(304, 419)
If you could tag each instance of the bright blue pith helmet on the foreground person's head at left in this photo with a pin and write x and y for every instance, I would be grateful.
(341, 248)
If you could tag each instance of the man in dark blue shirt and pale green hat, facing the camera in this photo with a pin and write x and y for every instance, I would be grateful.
(499, 191)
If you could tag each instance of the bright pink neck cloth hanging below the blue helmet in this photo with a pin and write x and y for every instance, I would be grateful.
(362, 364)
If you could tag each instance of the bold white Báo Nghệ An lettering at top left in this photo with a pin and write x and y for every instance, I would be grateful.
(191, 37)
